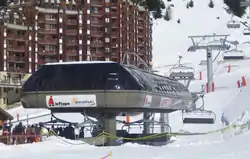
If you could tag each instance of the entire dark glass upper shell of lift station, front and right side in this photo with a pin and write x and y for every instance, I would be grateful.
(99, 76)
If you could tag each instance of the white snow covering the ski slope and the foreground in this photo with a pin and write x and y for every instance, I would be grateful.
(170, 39)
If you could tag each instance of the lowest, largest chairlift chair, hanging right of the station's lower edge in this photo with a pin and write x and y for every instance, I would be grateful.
(199, 117)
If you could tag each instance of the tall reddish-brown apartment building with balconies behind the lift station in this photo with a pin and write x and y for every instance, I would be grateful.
(70, 30)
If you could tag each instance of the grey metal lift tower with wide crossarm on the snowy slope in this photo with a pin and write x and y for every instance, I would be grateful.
(209, 43)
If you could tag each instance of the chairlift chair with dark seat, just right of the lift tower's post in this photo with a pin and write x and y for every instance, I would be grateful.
(234, 54)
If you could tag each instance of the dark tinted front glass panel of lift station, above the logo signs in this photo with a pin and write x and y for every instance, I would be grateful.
(80, 77)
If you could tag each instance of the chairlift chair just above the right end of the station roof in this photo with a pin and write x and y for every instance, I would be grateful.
(182, 72)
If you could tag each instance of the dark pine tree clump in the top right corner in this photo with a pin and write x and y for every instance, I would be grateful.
(235, 8)
